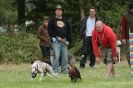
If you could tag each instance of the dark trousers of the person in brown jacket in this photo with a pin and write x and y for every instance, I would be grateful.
(45, 52)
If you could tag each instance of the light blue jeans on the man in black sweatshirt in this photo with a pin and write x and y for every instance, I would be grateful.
(60, 51)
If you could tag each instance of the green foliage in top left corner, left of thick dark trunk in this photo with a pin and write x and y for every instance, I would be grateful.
(8, 12)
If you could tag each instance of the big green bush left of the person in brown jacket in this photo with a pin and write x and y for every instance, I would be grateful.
(18, 48)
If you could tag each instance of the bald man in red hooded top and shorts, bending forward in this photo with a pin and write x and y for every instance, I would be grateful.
(104, 37)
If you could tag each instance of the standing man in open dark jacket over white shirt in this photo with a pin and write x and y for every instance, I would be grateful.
(87, 26)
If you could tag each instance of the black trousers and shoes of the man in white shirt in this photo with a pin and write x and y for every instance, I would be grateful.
(87, 50)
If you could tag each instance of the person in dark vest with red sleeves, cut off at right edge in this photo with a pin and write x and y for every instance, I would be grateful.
(126, 26)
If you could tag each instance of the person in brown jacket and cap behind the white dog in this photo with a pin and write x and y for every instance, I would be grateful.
(45, 41)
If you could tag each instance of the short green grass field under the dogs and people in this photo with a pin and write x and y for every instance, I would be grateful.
(19, 76)
